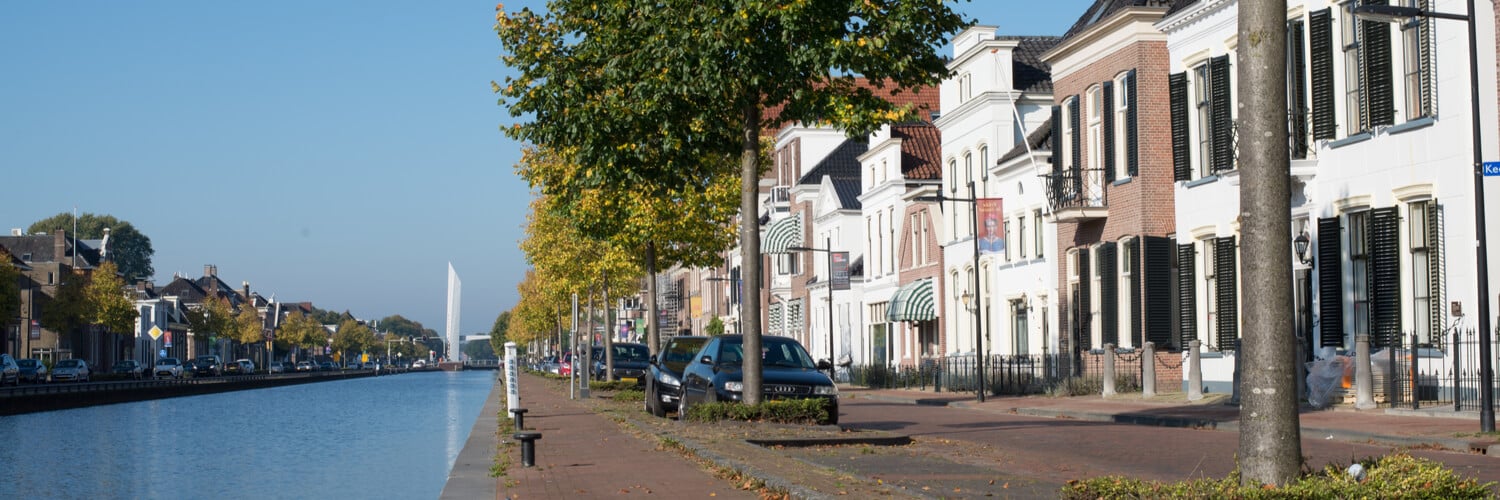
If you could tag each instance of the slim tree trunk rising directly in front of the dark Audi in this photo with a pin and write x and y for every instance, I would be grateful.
(751, 248)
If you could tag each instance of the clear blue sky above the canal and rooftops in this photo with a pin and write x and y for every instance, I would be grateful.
(334, 152)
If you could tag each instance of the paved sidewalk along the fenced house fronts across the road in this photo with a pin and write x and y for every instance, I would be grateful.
(1429, 427)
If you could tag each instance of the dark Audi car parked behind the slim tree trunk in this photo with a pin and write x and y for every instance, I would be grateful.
(787, 373)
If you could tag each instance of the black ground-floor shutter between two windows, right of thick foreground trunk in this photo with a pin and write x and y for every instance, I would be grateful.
(1385, 277)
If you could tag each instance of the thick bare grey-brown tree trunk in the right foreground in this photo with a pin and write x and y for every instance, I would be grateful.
(1270, 436)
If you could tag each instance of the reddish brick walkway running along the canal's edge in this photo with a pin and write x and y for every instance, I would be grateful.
(586, 456)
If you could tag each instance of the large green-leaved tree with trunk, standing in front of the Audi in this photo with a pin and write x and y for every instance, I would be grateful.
(643, 94)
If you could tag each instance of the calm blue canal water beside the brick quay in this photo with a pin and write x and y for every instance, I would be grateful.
(374, 438)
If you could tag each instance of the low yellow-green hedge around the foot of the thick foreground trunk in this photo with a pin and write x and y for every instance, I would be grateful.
(1393, 477)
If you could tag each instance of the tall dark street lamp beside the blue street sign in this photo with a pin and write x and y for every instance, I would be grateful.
(1400, 14)
